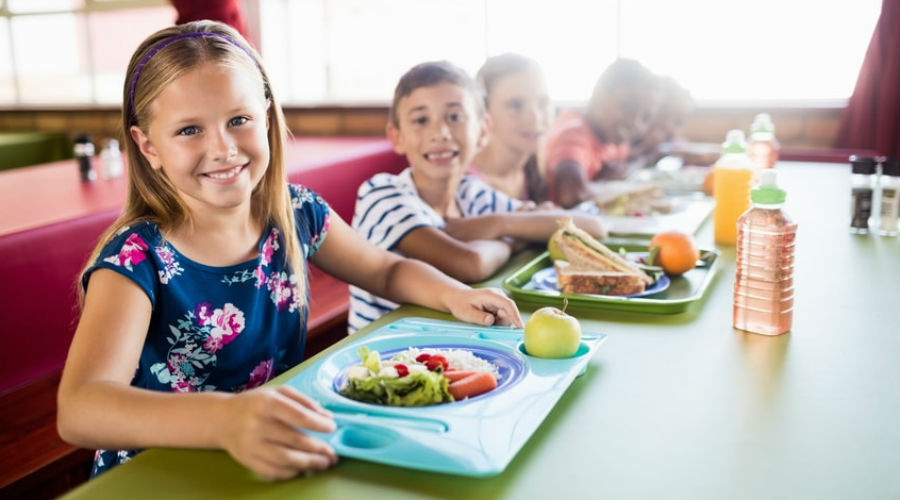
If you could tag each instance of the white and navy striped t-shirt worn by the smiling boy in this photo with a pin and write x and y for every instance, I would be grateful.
(388, 207)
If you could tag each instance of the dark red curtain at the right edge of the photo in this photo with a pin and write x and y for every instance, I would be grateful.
(871, 120)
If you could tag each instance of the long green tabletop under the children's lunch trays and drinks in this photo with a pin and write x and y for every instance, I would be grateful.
(671, 406)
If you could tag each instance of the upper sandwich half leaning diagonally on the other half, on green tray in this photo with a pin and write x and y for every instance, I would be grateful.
(586, 253)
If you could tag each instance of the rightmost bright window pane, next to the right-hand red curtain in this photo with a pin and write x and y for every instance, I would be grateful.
(774, 50)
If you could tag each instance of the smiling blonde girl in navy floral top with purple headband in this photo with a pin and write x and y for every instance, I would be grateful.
(197, 295)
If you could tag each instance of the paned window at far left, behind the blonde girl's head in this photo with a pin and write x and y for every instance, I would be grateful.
(72, 51)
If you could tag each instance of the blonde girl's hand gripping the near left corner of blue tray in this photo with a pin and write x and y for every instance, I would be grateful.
(260, 429)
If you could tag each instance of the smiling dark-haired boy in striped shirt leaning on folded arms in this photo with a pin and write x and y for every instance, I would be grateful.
(432, 211)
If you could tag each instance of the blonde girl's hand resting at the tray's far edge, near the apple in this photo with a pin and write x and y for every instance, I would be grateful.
(484, 306)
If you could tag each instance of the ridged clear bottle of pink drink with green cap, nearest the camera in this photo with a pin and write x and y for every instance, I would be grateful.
(764, 275)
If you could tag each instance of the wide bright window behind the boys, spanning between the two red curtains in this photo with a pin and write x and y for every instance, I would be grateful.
(722, 50)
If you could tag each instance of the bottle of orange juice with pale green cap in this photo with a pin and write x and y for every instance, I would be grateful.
(732, 177)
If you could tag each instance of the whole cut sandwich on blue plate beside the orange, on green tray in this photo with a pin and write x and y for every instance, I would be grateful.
(591, 267)
